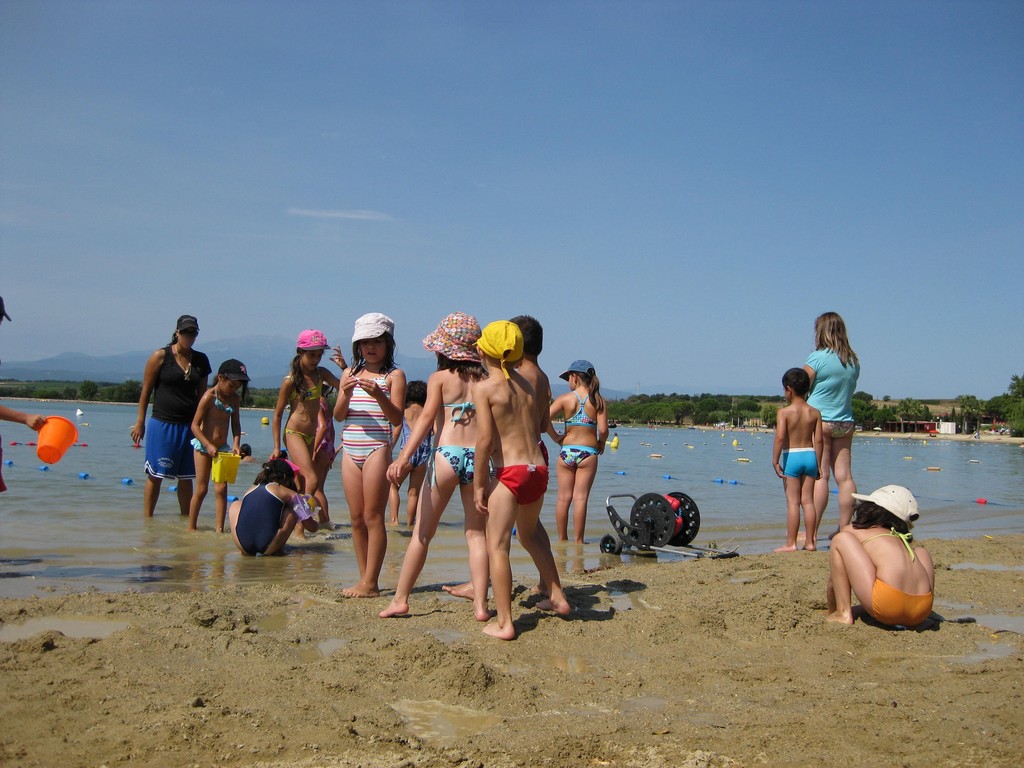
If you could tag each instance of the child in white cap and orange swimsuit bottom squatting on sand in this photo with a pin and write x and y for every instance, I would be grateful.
(873, 558)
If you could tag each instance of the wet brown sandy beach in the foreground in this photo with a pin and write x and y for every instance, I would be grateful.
(712, 663)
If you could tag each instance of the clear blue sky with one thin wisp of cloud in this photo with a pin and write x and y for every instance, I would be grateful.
(675, 190)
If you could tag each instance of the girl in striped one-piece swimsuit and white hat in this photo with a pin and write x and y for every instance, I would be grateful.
(371, 403)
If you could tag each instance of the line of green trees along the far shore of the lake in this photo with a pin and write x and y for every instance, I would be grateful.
(702, 410)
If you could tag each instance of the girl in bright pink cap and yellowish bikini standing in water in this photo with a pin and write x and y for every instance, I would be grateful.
(301, 392)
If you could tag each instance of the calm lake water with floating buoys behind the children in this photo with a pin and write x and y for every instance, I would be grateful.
(63, 533)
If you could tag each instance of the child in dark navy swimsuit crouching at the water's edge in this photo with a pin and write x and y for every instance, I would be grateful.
(266, 517)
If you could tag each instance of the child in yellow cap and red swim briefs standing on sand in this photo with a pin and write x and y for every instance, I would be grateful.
(509, 417)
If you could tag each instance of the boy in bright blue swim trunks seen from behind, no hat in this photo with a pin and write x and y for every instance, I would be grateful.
(797, 458)
